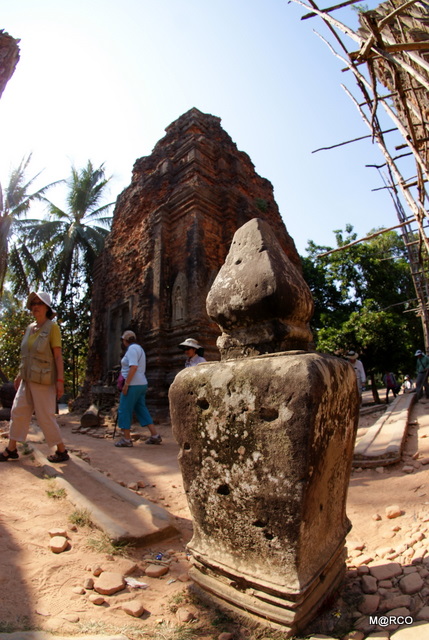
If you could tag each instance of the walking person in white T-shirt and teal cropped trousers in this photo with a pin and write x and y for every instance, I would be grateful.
(133, 393)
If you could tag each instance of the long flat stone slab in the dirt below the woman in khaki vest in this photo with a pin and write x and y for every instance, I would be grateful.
(122, 514)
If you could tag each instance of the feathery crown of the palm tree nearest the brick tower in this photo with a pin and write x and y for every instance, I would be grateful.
(70, 240)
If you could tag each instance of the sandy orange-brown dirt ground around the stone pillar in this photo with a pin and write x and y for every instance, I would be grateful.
(45, 590)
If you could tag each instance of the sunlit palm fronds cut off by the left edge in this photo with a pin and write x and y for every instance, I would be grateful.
(15, 202)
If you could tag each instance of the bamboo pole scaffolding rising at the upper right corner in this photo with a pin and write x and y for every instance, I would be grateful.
(385, 49)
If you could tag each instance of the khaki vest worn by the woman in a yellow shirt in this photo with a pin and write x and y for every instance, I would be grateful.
(38, 362)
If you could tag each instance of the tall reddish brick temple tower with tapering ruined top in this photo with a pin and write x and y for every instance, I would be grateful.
(171, 232)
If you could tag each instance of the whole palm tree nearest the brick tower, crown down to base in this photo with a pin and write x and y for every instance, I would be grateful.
(65, 245)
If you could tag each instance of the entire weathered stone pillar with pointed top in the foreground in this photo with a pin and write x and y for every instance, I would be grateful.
(266, 438)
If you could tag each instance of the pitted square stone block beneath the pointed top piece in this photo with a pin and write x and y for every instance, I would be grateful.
(265, 450)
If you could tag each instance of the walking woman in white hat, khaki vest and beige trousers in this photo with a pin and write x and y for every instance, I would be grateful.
(40, 381)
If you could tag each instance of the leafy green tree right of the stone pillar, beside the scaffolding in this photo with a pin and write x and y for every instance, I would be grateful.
(362, 297)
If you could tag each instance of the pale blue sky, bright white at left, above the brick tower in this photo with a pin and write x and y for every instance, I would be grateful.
(102, 79)
